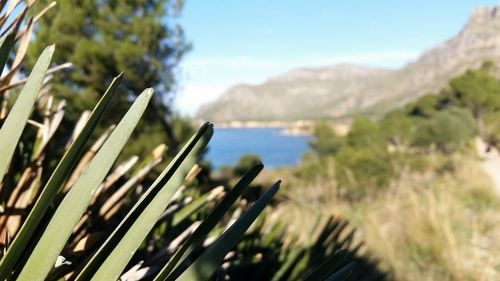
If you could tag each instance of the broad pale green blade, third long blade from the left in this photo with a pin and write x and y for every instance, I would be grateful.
(75, 202)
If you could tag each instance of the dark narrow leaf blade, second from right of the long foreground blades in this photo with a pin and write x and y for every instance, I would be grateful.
(210, 222)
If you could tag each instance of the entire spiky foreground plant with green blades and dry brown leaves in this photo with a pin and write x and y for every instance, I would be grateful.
(68, 212)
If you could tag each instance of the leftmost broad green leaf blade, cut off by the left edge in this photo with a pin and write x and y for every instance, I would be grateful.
(11, 131)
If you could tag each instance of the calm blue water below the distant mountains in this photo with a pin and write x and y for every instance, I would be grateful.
(274, 148)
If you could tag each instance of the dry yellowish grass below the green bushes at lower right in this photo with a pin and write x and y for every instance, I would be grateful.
(425, 226)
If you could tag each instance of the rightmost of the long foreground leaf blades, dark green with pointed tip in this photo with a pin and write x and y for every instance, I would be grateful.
(203, 267)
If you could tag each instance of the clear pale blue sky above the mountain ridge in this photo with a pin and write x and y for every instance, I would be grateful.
(250, 41)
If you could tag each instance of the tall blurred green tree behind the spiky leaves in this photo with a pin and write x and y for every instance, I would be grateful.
(102, 38)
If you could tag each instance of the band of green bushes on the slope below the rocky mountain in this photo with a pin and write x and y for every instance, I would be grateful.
(373, 152)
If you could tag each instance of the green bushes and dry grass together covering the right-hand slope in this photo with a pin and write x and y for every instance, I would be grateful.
(412, 182)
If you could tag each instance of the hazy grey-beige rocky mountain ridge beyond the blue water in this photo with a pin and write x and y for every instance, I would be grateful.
(345, 90)
